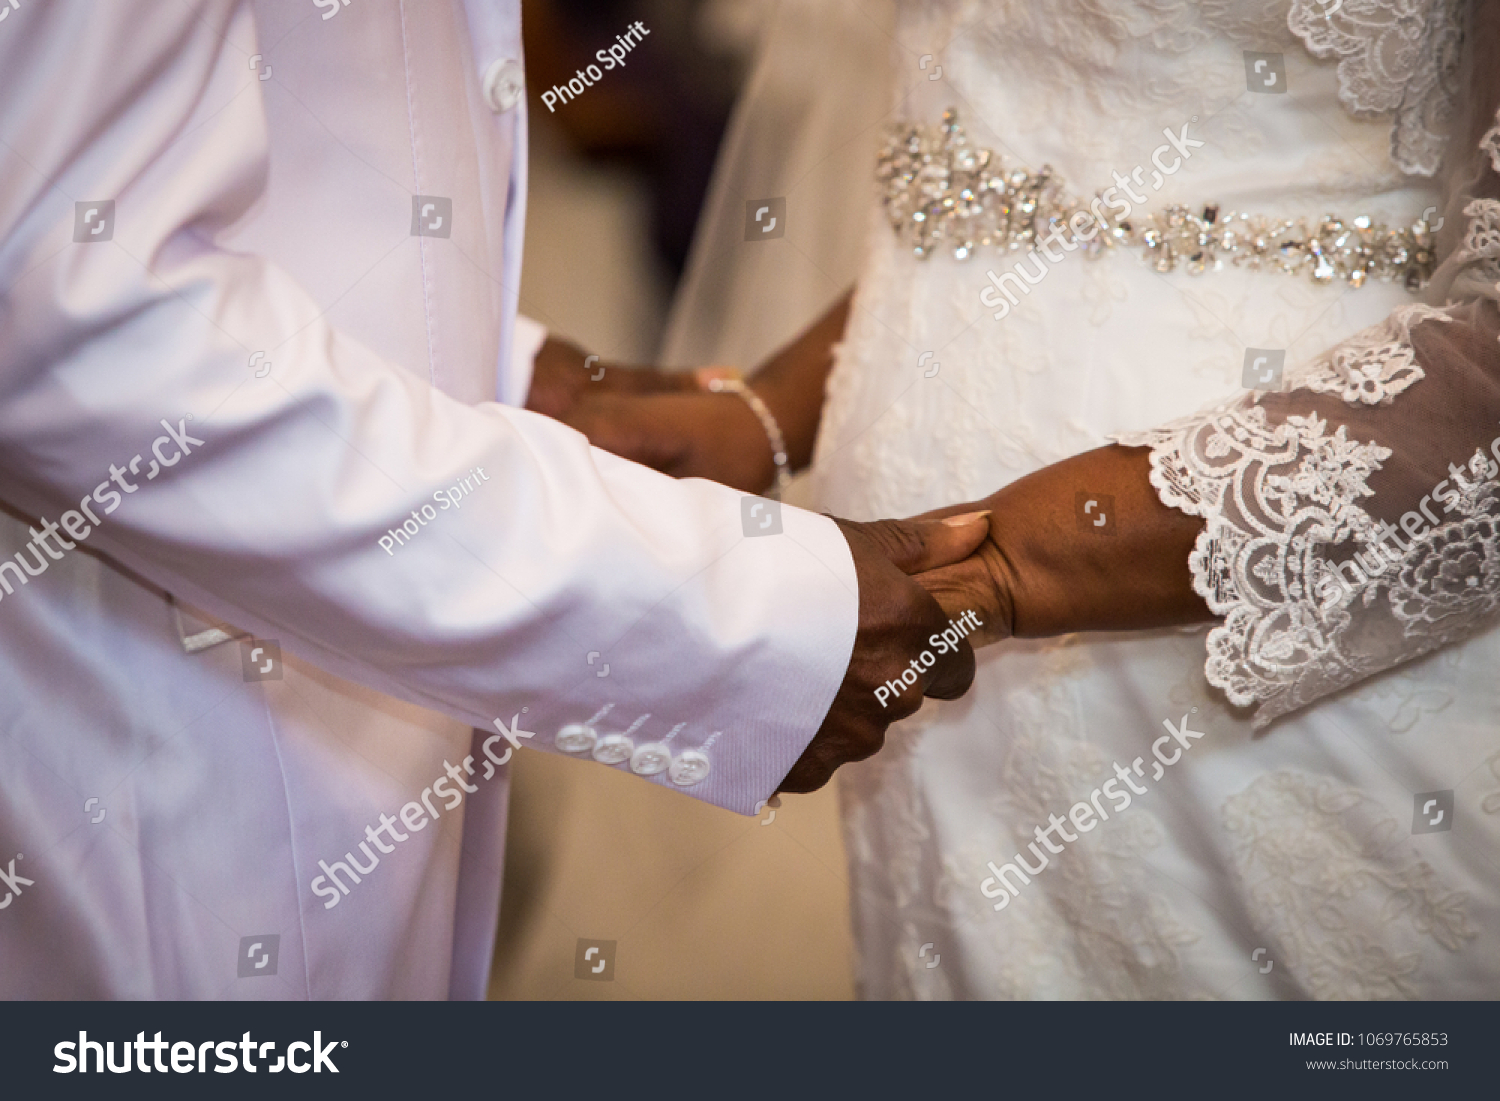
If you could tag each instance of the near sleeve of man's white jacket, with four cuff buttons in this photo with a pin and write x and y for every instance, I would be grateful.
(478, 560)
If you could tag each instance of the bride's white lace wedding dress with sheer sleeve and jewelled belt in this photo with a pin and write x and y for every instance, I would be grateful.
(1352, 847)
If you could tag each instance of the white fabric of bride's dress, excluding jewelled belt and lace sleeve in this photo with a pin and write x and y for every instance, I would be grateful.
(1283, 866)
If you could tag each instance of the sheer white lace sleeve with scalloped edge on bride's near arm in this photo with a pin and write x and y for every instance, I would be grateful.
(1352, 523)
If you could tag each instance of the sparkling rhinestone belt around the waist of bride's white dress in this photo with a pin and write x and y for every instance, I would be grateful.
(943, 193)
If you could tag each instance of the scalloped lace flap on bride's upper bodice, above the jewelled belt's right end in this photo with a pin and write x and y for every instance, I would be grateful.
(1394, 58)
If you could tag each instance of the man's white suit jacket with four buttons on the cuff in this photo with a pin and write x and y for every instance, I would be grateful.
(260, 388)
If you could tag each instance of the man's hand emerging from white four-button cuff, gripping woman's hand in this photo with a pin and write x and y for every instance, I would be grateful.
(896, 620)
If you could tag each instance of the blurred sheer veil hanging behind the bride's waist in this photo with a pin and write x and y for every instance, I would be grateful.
(806, 130)
